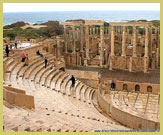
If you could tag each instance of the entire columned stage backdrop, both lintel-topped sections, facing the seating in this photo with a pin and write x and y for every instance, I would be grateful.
(119, 46)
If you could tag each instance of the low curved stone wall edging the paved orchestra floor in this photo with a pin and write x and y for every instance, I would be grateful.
(126, 115)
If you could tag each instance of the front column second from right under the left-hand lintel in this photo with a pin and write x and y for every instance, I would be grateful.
(87, 41)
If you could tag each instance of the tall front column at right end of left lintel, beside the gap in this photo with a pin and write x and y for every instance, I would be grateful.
(102, 45)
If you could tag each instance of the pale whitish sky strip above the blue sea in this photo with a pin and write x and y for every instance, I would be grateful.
(36, 7)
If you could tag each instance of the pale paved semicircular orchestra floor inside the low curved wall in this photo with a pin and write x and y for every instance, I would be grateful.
(146, 105)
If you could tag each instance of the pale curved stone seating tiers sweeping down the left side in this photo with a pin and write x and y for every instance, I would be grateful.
(58, 106)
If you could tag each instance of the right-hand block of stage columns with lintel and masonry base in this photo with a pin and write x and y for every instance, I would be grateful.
(135, 62)
